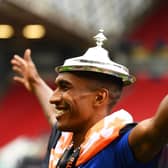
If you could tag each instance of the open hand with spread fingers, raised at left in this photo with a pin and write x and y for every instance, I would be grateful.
(26, 70)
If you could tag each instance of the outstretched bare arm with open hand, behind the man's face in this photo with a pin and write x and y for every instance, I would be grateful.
(28, 75)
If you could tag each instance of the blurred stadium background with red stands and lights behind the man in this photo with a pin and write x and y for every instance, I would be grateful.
(137, 32)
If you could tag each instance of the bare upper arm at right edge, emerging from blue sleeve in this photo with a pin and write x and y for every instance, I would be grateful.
(149, 136)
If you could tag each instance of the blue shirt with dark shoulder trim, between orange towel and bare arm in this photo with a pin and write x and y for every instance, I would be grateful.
(117, 154)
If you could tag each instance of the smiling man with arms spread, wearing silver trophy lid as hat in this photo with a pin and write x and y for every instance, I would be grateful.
(86, 134)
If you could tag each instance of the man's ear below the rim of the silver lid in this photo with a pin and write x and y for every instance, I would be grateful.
(101, 96)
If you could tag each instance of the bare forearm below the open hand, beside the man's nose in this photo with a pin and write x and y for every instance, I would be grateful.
(43, 93)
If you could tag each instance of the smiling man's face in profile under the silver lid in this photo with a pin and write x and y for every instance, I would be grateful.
(73, 102)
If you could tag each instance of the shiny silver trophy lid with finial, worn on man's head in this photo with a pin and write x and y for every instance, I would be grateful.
(96, 59)
